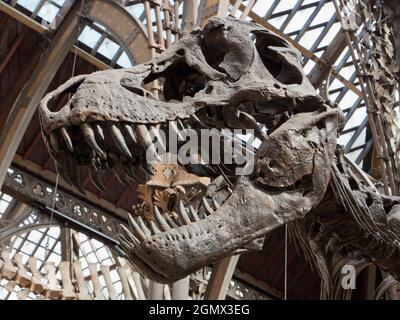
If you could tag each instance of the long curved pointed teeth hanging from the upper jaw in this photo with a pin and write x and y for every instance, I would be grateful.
(123, 135)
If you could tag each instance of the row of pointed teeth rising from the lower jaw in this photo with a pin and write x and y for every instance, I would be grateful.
(142, 229)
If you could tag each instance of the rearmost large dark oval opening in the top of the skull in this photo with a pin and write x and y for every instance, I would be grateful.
(277, 58)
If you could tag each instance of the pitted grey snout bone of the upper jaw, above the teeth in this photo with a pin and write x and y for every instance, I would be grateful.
(102, 98)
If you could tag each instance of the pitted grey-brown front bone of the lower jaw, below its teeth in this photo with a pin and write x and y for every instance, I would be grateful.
(245, 216)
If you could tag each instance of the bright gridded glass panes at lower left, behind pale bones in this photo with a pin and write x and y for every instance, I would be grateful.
(45, 245)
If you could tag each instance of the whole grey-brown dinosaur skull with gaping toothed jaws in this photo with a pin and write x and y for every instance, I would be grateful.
(229, 75)
